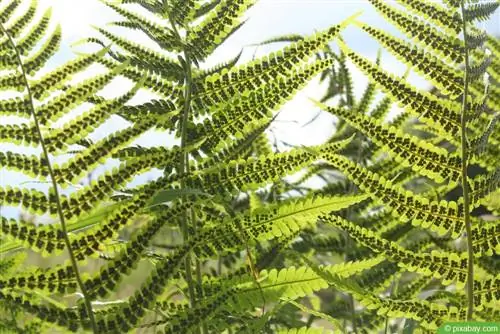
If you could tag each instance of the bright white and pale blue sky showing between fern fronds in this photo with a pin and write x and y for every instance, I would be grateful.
(268, 18)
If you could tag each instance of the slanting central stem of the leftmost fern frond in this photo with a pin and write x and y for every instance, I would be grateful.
(74, 264)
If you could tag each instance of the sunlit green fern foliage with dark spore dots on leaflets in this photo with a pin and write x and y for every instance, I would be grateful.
(224, 241)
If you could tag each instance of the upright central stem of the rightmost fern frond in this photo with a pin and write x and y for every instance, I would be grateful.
(465, 183)
